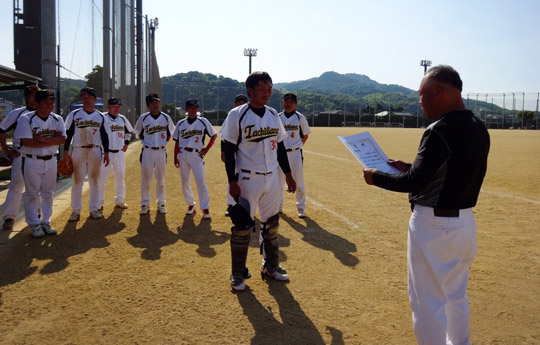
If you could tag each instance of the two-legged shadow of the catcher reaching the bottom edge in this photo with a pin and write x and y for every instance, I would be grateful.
(295, 327)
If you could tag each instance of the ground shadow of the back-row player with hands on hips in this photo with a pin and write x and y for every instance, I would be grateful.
(202, 235)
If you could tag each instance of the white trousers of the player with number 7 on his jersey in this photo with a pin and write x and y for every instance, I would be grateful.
(85, 161)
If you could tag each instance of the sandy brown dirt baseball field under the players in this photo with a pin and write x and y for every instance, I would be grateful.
(163, 279)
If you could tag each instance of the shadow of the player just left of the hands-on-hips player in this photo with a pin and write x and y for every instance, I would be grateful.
(153, 236)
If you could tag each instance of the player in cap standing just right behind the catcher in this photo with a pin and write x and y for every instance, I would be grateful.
(298, 131)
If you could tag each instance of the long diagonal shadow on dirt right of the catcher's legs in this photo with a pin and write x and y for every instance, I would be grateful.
(318, 237)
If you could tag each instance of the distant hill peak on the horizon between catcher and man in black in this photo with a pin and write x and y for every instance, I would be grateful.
(355, 85)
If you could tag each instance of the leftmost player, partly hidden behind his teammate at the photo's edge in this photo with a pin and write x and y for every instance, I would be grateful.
(16, 186)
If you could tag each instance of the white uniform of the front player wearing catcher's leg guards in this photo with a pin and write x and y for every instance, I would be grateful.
(256, 159)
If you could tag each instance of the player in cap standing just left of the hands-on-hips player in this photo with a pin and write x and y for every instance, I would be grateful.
(154, 128)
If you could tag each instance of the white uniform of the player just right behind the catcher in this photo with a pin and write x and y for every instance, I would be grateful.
(296, 126)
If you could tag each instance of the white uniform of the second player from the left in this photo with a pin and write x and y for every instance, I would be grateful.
(39, 165)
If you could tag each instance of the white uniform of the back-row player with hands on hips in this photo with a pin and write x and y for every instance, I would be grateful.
(190, 135)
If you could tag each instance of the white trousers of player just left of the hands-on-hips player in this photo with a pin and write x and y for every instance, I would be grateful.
(153, 162)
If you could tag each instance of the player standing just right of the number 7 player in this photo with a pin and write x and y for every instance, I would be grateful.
(119, 130)
